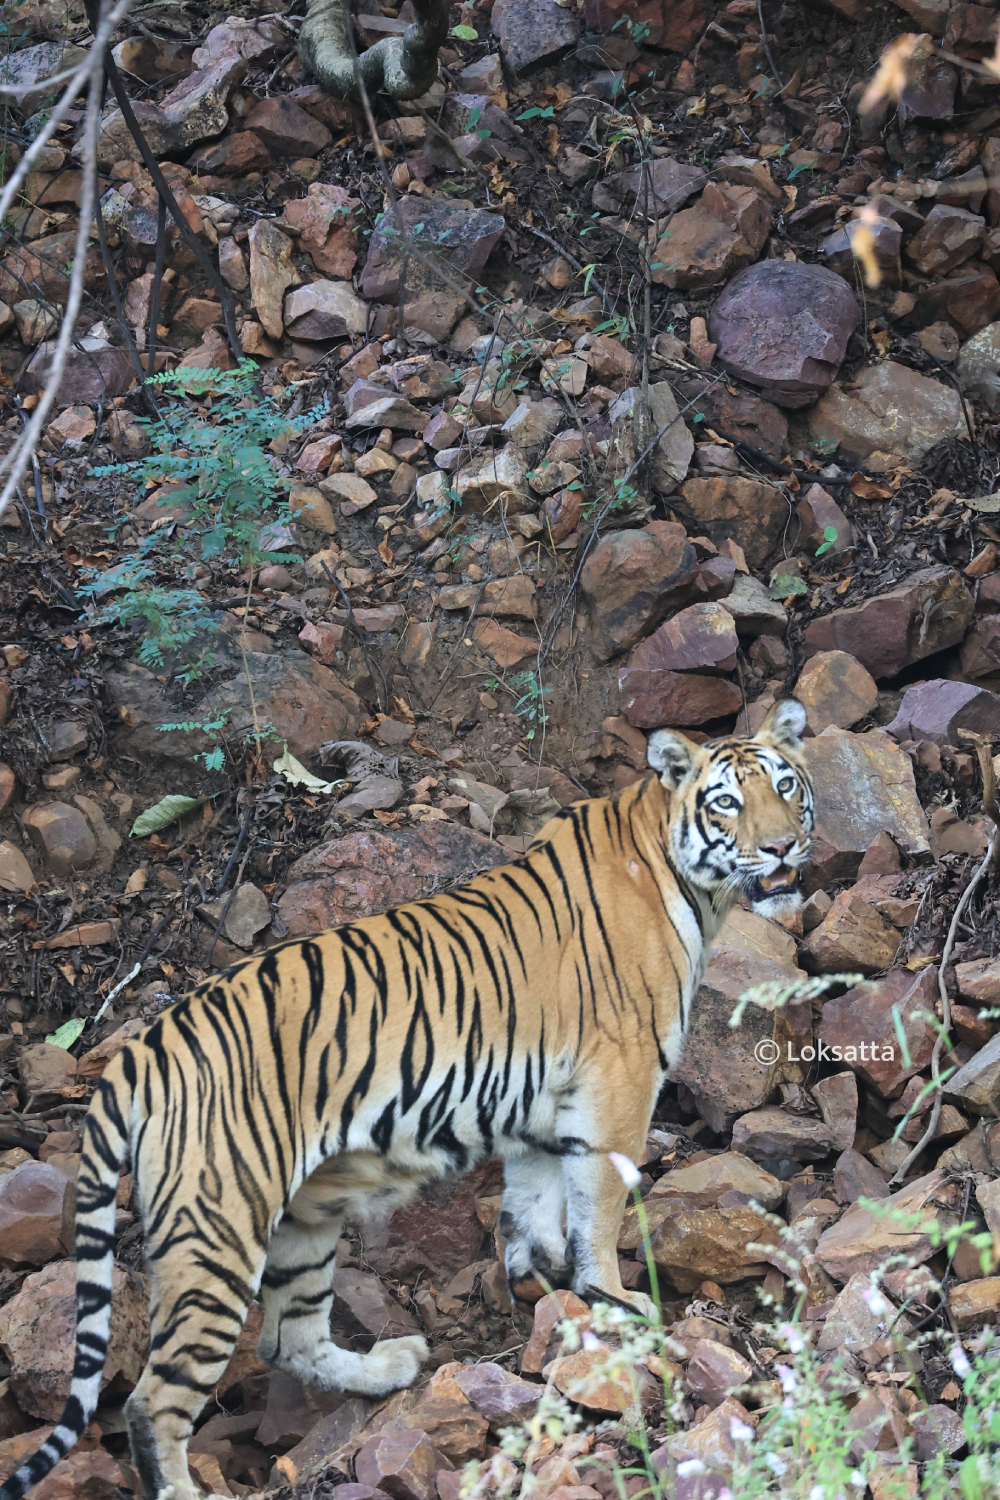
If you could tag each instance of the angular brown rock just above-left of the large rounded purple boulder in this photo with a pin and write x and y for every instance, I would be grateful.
(723, 233)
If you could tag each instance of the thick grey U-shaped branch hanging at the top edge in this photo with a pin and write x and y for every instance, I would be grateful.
(403, 67)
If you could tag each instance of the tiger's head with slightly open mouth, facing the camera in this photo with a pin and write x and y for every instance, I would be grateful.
(741, 811)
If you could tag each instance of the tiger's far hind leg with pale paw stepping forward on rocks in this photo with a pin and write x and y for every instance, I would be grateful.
(298, 1292)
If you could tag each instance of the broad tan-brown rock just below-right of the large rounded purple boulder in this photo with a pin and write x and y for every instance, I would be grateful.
(893, 412)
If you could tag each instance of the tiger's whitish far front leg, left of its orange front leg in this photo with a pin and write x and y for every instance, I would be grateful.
(533, 1220)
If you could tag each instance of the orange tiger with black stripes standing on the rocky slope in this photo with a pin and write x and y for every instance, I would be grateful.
(531, 1013)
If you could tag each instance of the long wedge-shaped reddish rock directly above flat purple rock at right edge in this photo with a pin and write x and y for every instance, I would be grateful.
(927, 613)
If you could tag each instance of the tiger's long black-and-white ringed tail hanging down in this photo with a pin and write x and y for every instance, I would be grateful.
(106, 1151)
